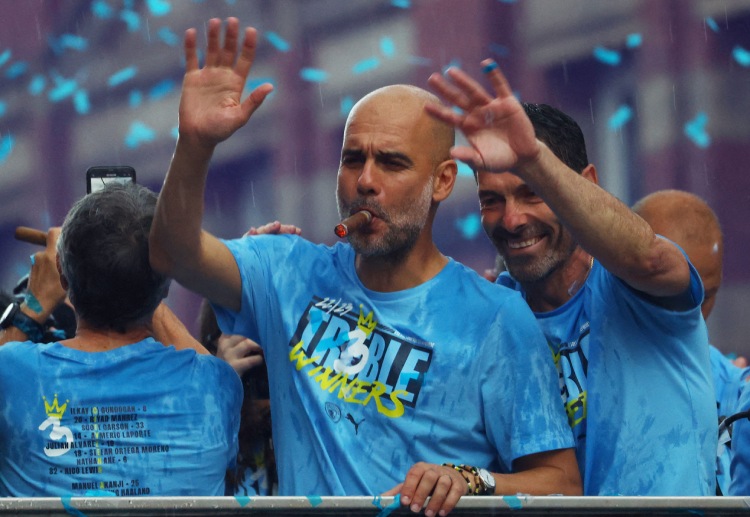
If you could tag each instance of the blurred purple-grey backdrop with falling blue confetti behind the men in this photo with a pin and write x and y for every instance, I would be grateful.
(661, 89)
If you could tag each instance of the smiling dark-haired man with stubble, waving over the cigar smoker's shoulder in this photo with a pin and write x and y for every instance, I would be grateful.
(619, 306)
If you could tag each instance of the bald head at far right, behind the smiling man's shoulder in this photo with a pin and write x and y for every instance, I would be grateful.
(688, 220)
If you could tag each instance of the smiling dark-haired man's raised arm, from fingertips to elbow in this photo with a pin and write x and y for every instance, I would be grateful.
(501, 139)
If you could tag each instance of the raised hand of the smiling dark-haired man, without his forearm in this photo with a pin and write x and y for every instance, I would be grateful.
(500, 135)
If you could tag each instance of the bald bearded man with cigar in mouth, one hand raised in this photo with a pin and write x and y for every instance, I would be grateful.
(392, 368)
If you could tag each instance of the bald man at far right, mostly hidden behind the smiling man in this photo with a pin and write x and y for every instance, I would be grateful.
(687, 220)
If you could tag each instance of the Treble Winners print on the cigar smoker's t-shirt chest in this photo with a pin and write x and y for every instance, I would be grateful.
(358, 358)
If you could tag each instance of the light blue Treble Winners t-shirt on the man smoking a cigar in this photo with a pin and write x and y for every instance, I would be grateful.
(365, 384)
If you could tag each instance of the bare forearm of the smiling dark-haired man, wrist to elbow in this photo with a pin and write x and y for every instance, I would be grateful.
(607, 229)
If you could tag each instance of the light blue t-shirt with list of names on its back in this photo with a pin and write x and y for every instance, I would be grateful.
(140, 420)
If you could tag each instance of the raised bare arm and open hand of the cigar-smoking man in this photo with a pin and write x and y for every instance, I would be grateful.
(211, 110)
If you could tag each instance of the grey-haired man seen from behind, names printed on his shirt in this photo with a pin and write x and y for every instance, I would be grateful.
(112, 411)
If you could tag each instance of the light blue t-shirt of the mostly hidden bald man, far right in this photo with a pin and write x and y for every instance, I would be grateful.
(728, 382)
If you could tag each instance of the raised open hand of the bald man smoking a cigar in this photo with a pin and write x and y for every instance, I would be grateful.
(211, 107)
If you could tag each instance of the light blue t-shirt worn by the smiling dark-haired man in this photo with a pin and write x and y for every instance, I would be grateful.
(637, 386)
